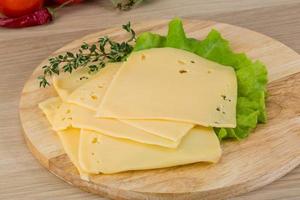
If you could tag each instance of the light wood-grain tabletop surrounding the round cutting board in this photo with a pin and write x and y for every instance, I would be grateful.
(21, 176)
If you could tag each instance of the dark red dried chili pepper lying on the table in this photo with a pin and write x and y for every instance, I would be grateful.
(39, 17)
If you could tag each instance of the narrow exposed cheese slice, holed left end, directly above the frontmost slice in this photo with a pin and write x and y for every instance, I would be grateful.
(71, 115)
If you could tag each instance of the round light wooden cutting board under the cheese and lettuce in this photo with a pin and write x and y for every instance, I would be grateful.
(269, 153)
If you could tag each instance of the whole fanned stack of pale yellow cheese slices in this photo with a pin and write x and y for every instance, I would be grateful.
(155, 110)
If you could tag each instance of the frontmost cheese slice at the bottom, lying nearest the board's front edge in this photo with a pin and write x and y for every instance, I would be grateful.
(103, 154)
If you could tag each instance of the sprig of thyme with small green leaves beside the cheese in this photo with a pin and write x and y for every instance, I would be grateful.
(93, 56)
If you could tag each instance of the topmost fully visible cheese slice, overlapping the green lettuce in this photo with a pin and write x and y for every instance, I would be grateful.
(172, 84)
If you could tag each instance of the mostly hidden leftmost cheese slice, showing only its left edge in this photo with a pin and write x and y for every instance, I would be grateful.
(69, 137)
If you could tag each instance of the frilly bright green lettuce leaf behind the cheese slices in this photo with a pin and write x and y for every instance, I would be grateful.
(251, 75)
